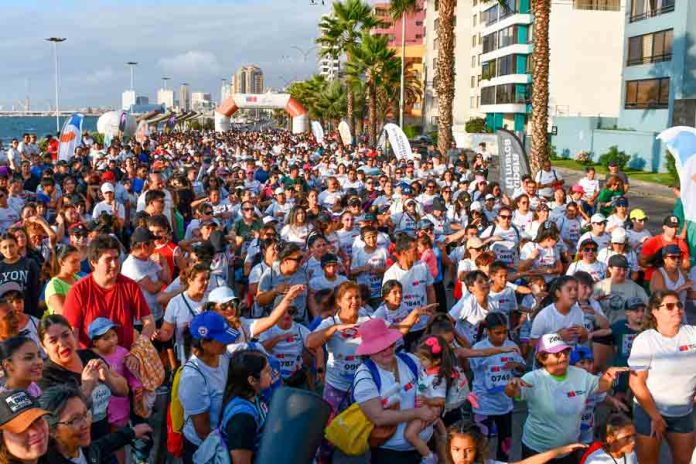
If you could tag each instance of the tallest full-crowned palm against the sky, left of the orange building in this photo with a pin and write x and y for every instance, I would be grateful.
(341, 32)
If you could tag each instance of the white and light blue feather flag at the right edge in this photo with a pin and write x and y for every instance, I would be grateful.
(681, 142)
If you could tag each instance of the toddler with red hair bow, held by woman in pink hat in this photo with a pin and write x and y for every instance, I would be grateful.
(436, 358)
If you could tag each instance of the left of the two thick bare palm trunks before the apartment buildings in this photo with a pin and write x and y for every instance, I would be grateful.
(444, 76)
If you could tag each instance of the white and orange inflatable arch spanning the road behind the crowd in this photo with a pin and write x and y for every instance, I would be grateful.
(300, 121)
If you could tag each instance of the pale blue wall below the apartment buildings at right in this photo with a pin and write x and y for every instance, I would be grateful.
(587, 134)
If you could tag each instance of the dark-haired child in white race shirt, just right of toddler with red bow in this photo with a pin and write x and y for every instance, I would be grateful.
(493, 414)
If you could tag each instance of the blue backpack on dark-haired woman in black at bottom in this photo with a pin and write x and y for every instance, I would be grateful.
(214, 450)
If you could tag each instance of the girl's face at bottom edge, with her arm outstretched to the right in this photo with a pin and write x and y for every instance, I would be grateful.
(467, 445)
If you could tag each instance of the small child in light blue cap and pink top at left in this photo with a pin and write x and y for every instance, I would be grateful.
(105, 343)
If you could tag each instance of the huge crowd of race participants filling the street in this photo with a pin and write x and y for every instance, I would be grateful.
(216, 267)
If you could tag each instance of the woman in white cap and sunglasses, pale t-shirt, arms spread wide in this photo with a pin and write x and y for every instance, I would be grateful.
(555, 394)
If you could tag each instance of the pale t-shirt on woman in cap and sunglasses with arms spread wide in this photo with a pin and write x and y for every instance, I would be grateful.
(555, 407)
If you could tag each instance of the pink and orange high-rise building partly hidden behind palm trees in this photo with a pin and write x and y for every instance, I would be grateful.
(414, 48)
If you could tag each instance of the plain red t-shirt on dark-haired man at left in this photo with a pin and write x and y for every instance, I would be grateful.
(123, 304)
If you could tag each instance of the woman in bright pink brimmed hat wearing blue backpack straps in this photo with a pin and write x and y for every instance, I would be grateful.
(391, 378)
